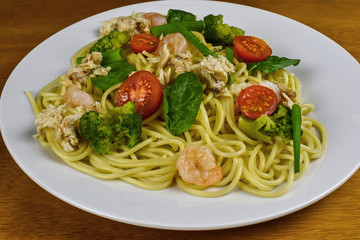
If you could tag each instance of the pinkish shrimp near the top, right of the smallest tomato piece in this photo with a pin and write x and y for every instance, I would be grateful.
(175, 42)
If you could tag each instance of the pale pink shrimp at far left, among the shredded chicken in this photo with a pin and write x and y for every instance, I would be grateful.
(76, 97)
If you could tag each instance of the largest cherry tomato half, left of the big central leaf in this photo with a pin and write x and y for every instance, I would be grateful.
(142, 88)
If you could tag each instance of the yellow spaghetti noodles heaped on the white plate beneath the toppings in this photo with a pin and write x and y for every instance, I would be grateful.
(253, 166)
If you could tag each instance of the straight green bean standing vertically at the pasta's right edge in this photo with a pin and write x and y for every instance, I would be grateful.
(296, 125)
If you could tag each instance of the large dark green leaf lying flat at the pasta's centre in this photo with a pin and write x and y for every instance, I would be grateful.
(181, 102)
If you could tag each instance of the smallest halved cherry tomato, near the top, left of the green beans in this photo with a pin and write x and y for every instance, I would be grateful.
(143, 41)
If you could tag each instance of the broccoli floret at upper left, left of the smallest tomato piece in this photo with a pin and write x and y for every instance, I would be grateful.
(114, 40)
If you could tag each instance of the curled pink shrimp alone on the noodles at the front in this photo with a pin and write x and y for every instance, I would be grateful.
(196, 165)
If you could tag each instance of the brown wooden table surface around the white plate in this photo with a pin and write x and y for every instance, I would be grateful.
(29, 212)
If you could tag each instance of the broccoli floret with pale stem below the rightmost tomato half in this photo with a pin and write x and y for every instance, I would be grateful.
(278, 124)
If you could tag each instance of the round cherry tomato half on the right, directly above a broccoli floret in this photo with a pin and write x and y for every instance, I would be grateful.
(257, 100)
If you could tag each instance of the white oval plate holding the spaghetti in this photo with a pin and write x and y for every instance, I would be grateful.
(325, 69)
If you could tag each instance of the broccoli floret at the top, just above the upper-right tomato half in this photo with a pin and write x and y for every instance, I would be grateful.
(219, 33)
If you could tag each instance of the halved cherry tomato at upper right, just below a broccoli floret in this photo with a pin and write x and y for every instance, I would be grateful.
(251, 49)
